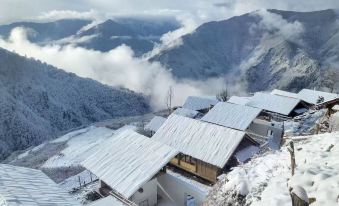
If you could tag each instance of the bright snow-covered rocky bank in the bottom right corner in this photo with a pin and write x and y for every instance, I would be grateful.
(265, 180)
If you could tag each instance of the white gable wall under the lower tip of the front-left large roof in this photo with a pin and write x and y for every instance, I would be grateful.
(148, 195)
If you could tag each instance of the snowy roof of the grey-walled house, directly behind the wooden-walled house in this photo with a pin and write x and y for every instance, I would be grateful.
(232, 115)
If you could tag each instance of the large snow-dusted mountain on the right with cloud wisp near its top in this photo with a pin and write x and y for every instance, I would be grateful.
(265, 49)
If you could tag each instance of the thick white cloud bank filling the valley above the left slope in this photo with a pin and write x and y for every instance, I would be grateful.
(117, 67)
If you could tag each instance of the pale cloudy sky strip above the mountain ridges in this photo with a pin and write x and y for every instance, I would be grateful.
(201, 10)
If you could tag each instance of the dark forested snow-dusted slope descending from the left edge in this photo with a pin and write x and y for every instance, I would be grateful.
(38, 102)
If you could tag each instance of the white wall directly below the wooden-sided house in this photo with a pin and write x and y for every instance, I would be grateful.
(178, 190)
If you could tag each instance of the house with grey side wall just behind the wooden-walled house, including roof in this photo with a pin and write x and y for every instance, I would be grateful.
(249, 119)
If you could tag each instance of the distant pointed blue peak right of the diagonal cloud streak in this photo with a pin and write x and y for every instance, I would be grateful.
(140, 34)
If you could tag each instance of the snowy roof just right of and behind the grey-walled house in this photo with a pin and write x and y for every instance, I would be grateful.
(273, 103)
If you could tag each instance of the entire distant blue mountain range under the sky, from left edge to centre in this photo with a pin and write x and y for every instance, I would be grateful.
(140, 33)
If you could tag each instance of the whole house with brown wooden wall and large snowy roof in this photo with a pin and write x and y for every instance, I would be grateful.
(206, 150)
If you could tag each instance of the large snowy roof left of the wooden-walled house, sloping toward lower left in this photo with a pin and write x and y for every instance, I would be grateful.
(128, 161)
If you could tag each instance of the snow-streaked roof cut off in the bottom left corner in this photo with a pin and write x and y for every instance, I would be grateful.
(21, 186)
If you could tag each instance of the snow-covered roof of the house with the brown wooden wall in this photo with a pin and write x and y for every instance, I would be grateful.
(210, 143)
